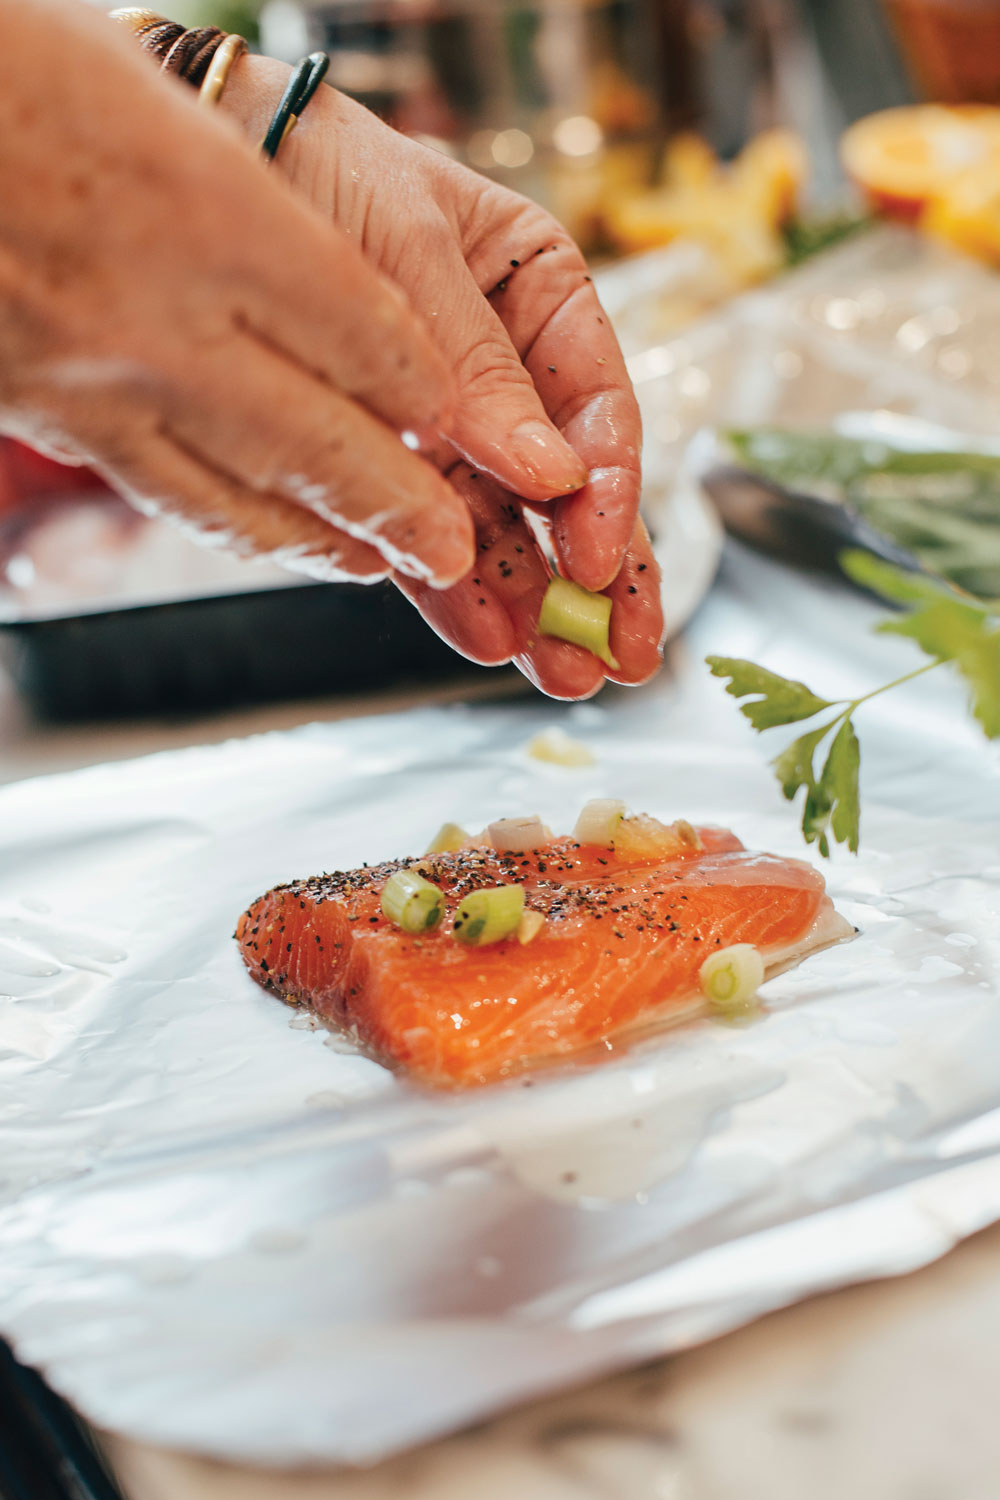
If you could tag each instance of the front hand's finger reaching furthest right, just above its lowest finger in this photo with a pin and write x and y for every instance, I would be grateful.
(284, 433)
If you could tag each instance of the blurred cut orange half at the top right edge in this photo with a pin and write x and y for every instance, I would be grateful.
(903, 160)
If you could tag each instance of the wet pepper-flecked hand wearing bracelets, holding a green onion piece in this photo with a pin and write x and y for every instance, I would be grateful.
(545, 421)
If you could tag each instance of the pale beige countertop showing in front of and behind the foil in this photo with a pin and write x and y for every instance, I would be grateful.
(879, 1393)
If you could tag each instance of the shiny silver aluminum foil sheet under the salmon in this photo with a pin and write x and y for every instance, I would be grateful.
(223, 1229)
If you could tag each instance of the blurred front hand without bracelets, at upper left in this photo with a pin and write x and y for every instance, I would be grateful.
(182, 322)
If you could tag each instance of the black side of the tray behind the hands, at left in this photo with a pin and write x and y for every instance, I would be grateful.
(200, 655)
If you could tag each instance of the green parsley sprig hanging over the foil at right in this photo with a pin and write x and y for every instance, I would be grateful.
(948, 626)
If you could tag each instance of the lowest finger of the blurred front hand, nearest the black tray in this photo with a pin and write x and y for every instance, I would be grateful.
(163, 479)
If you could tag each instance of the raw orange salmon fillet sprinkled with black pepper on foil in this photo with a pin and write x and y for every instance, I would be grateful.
(621, 947)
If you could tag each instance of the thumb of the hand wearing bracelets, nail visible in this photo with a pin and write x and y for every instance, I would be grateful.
(500, 424)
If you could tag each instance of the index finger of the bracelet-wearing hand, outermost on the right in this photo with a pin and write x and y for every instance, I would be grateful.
(560, 331)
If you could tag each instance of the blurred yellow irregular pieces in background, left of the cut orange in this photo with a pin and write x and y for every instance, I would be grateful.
(737, 214)
